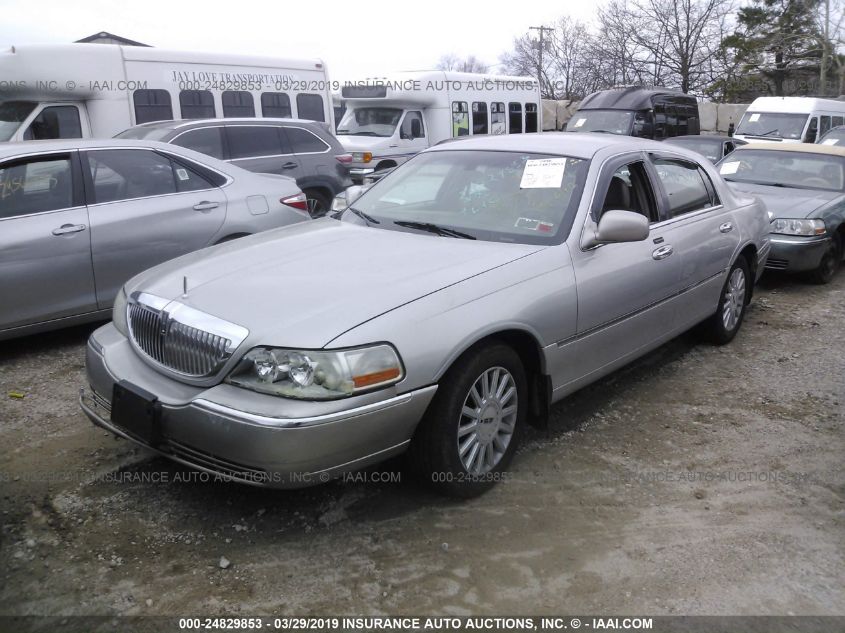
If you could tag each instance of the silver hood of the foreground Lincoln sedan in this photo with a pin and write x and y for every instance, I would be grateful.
(306, 284)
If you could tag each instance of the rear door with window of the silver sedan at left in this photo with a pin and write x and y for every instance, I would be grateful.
(145, 207)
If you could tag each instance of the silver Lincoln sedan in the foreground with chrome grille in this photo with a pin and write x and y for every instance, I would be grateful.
(448, 307)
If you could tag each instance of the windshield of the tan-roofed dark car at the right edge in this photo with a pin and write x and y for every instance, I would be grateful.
(784, 169)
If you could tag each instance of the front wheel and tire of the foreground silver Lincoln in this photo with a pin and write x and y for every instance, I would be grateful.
(471, 430)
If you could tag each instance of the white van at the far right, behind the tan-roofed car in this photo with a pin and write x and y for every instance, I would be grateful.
(789, 119)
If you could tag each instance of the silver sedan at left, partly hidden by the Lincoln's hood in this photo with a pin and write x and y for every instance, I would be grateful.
(79, 218)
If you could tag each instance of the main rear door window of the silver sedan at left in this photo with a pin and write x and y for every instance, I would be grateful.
(124, 174)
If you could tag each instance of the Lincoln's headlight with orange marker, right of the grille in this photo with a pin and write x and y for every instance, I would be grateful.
(317, 374)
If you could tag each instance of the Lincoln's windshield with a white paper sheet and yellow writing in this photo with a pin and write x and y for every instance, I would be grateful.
(485, 195)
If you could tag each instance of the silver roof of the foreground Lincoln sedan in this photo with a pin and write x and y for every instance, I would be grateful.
(580, 145)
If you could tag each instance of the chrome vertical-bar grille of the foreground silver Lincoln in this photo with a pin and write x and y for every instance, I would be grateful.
(164, 332)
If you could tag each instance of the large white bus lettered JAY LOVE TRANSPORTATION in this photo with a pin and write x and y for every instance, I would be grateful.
(98, 90)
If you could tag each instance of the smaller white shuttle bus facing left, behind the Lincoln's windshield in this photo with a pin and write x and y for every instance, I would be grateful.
(389, 119)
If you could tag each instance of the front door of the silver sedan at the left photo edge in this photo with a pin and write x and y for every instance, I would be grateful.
(45, 248)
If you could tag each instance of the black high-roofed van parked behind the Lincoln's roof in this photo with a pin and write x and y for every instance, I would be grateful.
(645, 112)
